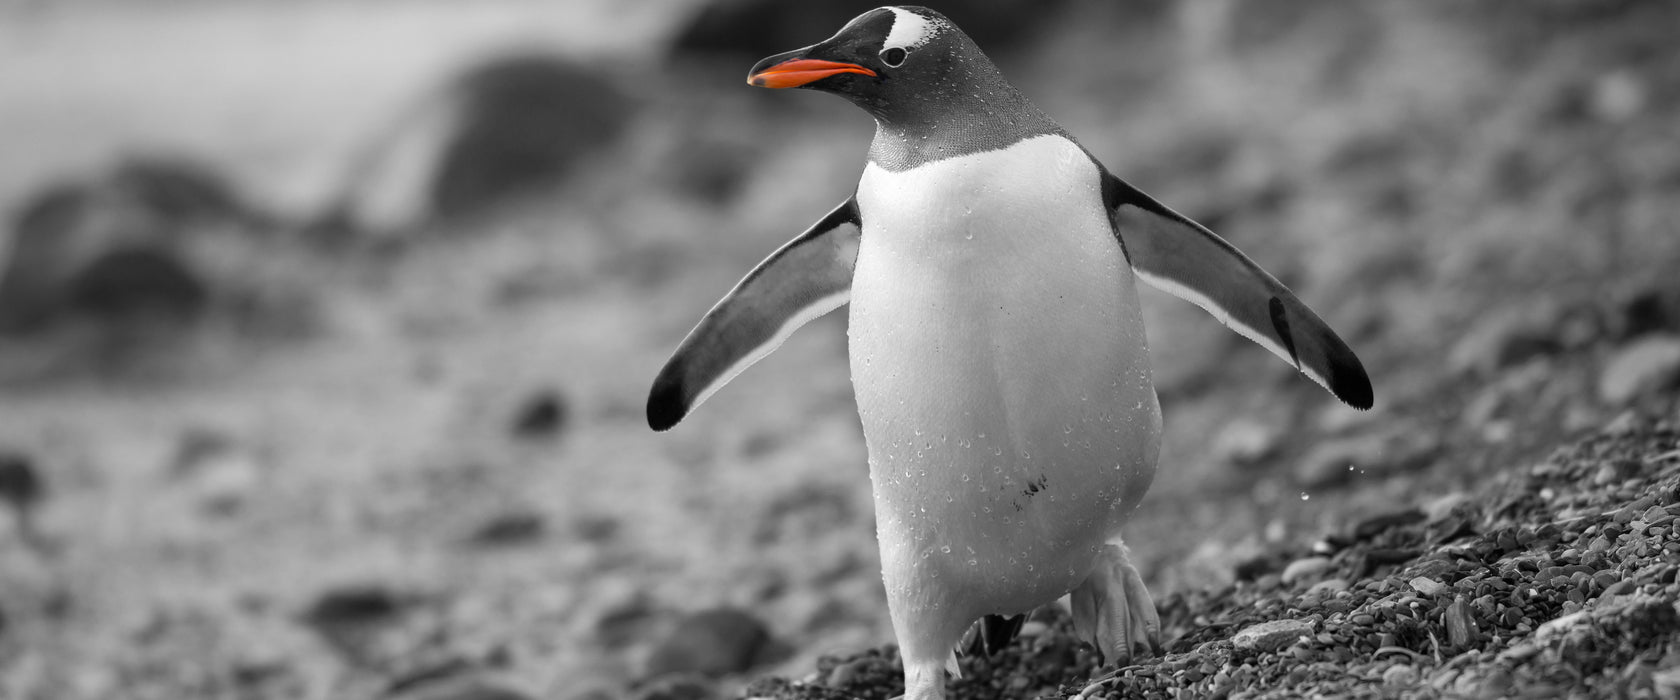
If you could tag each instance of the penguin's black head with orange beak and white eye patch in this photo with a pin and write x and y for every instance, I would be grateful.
(885, 61)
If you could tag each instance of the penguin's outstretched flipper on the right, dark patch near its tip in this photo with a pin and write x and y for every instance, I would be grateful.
(1185, 259)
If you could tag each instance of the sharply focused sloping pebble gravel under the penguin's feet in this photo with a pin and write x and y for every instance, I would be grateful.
(1558, 580)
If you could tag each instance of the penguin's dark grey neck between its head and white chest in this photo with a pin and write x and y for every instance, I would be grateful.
(957, 118)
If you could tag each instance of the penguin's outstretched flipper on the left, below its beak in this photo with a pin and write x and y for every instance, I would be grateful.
(802, 281)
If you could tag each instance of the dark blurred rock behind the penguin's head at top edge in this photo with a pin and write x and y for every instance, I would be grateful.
(753, 29)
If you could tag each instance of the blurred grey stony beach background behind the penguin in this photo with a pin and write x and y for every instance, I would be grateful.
(327, 326)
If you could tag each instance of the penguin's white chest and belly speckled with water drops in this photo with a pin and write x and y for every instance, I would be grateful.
(1002, 377)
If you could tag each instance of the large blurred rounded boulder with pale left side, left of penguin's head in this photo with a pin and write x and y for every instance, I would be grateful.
(501, 130)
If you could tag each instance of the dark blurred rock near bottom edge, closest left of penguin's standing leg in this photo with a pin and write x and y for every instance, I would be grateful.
(715, 644)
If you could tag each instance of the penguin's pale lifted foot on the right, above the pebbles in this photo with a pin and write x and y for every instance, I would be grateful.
(1113, 610)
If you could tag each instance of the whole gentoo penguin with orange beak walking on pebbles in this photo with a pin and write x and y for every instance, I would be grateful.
(997, 345)
